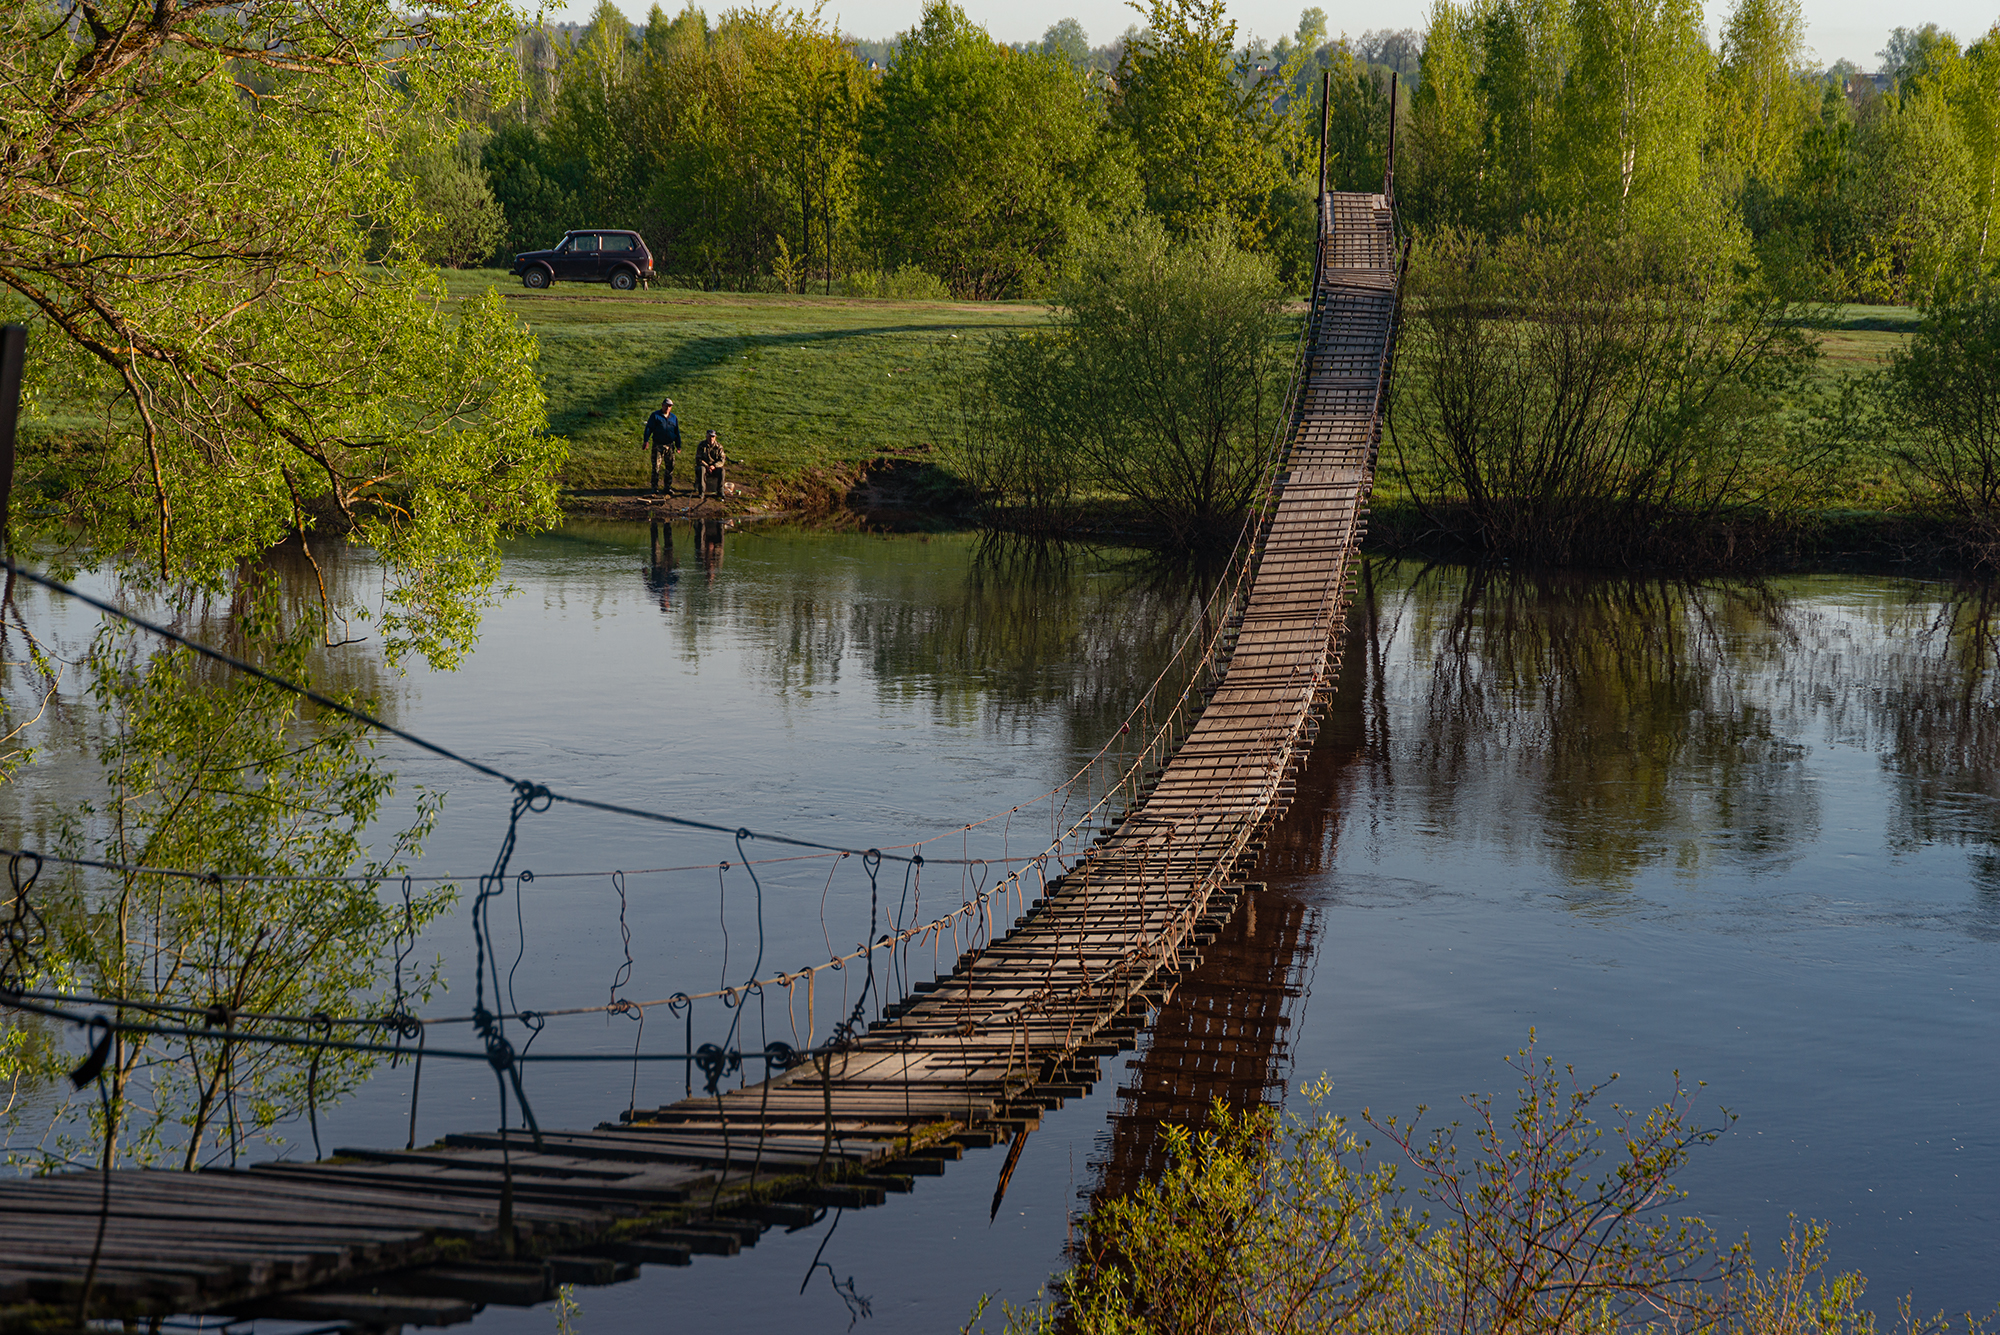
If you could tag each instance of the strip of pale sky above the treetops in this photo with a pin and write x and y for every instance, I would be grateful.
(1837, 29)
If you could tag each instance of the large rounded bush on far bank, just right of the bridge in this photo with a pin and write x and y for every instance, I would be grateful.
(1573, 393)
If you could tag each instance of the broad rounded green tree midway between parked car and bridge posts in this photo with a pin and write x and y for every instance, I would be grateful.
(983, 165)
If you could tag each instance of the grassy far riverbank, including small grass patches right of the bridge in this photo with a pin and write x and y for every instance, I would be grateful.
(807, 391)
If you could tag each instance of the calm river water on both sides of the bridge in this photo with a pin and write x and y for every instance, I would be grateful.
(1749, 832)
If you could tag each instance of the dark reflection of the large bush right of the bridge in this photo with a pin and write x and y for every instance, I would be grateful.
(1605, 722)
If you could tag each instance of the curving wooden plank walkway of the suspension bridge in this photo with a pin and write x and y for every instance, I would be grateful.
(971, 1060)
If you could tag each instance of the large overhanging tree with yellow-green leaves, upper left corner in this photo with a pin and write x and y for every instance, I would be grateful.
(193, 203)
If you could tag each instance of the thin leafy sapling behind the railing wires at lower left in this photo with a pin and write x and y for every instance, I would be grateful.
(221, 774)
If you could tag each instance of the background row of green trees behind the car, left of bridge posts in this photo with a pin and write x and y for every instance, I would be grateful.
(771, 151)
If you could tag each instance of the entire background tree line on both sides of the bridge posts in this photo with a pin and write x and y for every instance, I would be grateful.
(769, 151)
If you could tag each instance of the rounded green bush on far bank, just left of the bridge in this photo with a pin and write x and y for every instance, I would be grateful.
(1161, 381)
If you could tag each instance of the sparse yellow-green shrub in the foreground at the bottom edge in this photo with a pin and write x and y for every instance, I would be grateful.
(1545, 1222)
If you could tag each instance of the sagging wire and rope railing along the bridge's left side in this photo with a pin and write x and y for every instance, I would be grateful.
(1163, 714)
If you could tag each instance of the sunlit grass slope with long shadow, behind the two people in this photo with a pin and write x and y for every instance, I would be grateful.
(791, 383)
